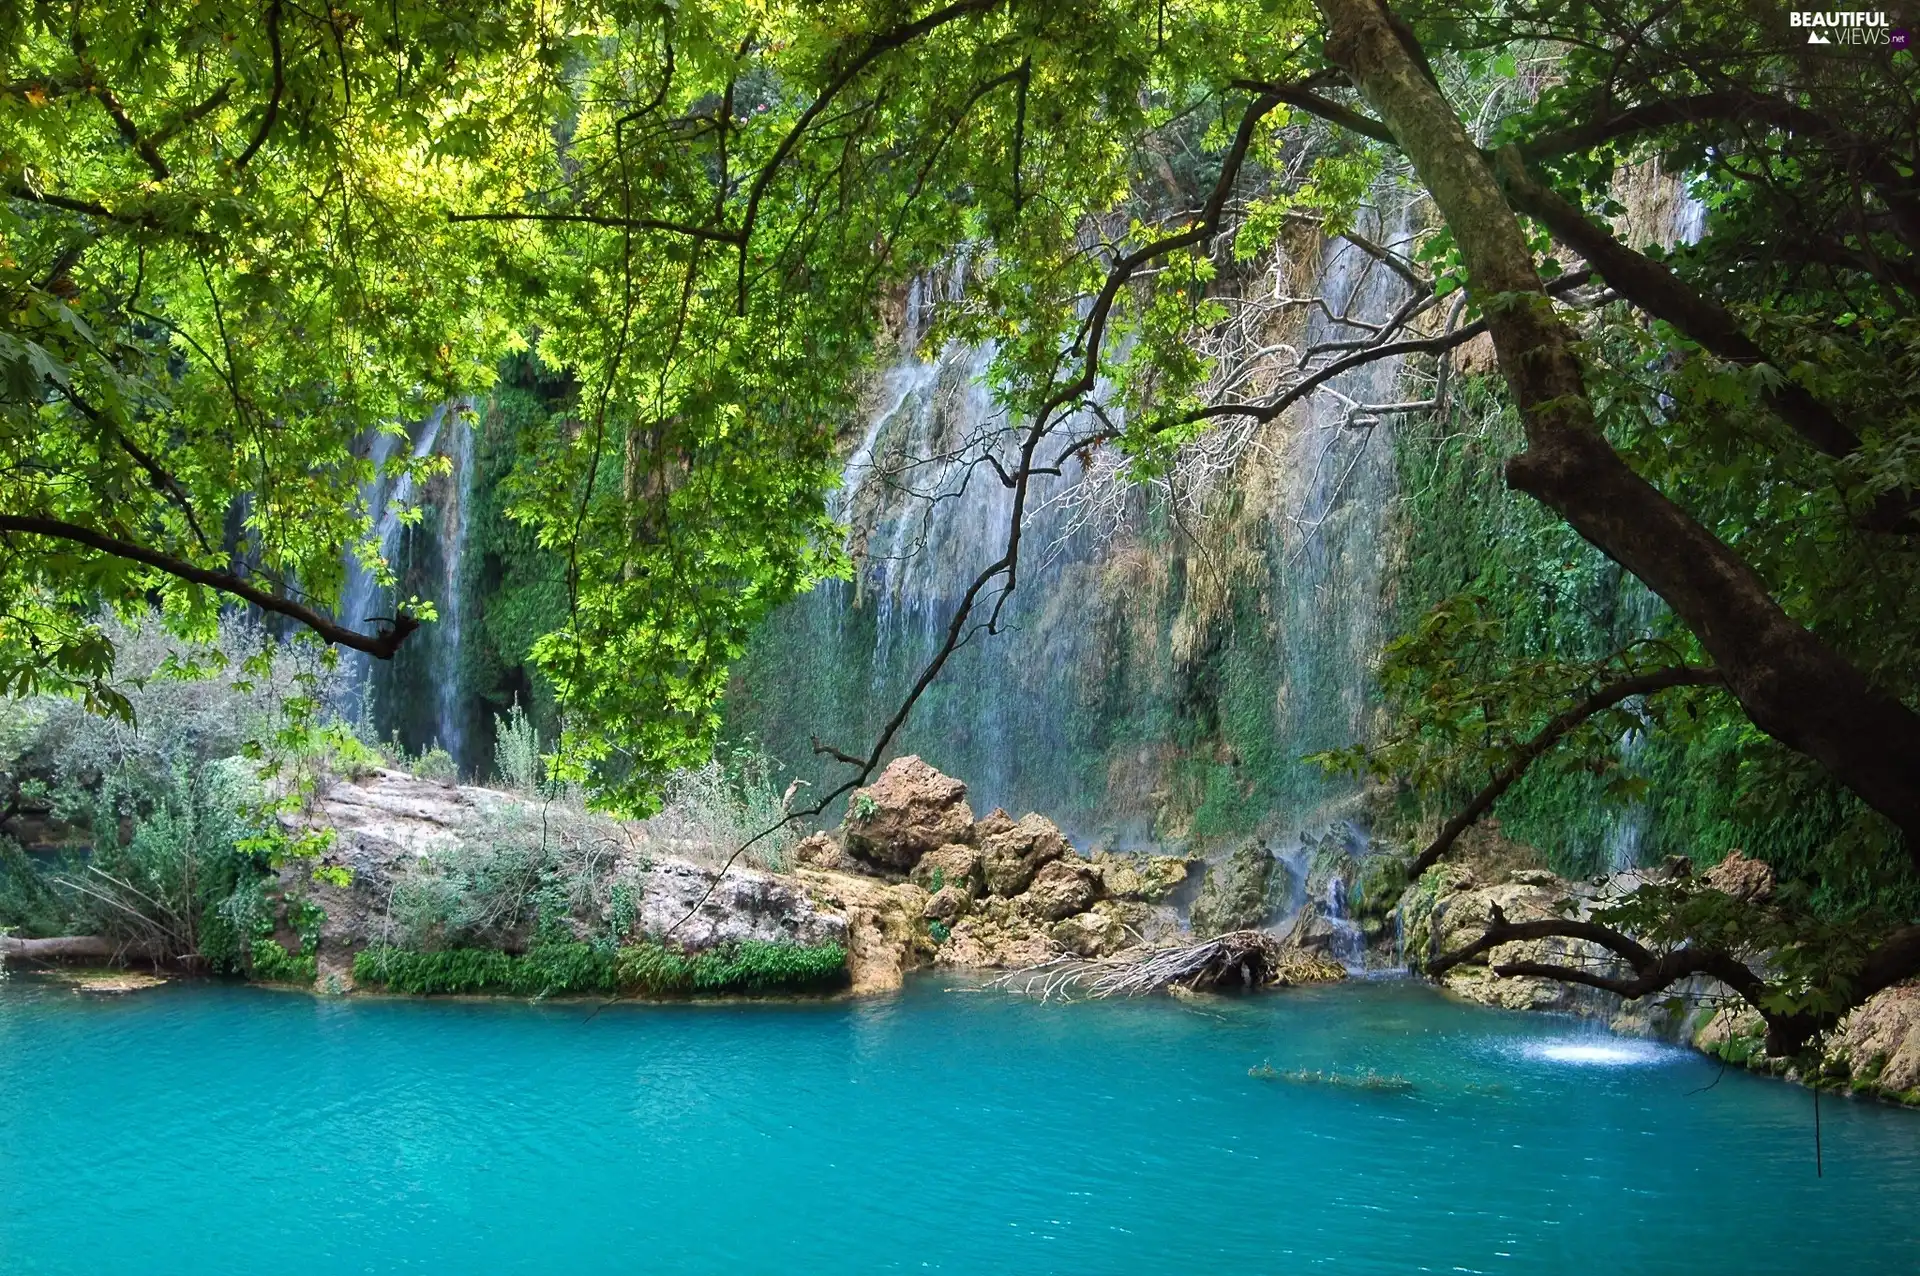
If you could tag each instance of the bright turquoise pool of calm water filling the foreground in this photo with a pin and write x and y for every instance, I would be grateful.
(228, 1129)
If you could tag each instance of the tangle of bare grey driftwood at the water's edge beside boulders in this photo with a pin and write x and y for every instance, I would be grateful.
(1236, 960)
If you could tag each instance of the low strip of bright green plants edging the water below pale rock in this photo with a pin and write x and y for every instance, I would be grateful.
(562, 968)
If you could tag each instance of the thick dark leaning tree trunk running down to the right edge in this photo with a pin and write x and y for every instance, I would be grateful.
(1790, 684)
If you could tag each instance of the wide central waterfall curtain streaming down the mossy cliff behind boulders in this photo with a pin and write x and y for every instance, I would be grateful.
(1140, 692)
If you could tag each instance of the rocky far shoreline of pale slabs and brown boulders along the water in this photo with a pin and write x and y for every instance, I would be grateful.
(917, 882)
